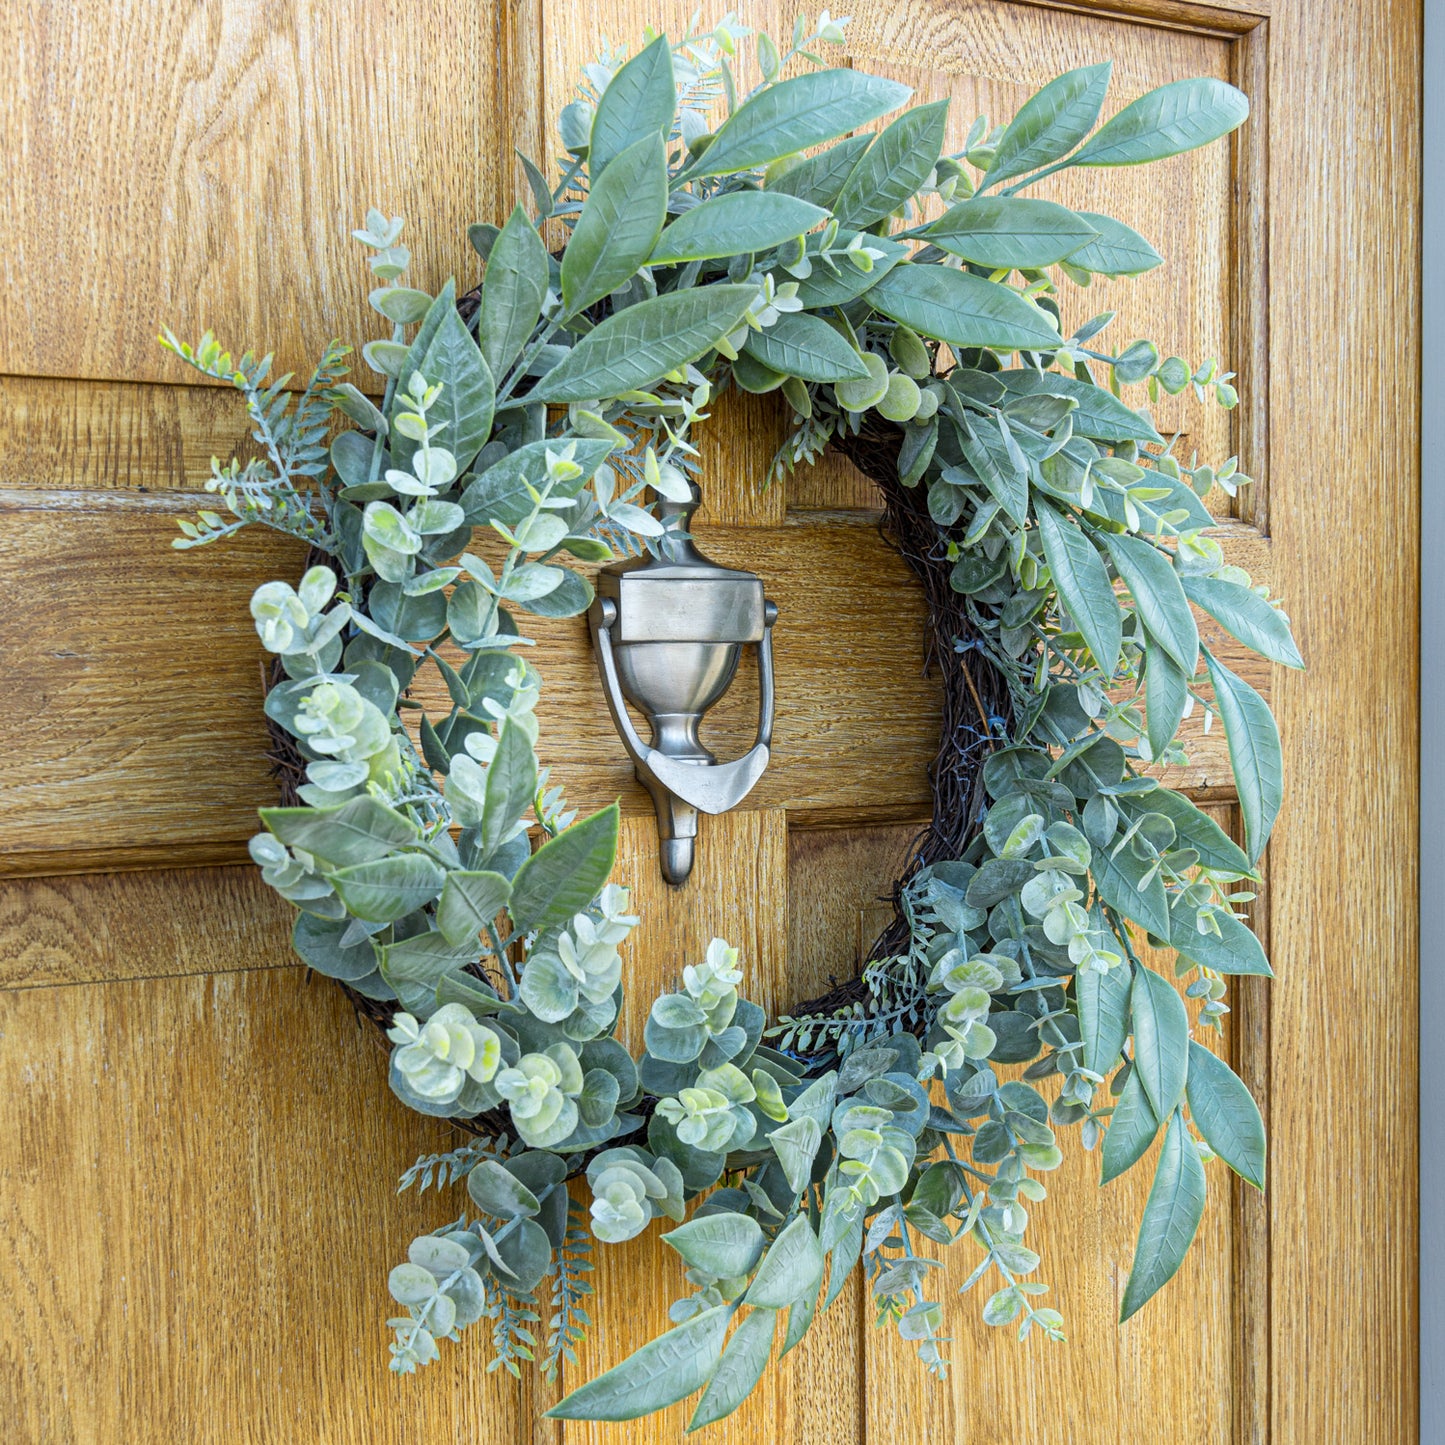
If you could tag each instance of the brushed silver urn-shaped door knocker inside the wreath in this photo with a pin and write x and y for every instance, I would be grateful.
(668, 634)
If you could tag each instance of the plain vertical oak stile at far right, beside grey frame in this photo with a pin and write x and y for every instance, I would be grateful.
(1343, 898)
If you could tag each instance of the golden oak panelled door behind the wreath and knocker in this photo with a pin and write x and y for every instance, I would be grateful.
(199, 1212)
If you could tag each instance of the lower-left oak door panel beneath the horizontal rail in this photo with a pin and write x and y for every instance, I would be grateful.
(200, 1215)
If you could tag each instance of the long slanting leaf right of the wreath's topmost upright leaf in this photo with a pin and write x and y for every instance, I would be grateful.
(797, 115)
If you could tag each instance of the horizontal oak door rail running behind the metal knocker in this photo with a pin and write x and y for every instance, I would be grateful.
(108, 626)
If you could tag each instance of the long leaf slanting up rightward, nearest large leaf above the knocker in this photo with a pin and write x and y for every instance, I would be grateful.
(642, 345)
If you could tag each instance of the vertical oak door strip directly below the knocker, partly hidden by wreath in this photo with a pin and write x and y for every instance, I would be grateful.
(738, 891)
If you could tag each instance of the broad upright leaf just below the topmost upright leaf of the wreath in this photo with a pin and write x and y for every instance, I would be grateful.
(619, 226)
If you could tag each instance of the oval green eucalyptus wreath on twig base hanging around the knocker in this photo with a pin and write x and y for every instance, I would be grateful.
(910, 309)
